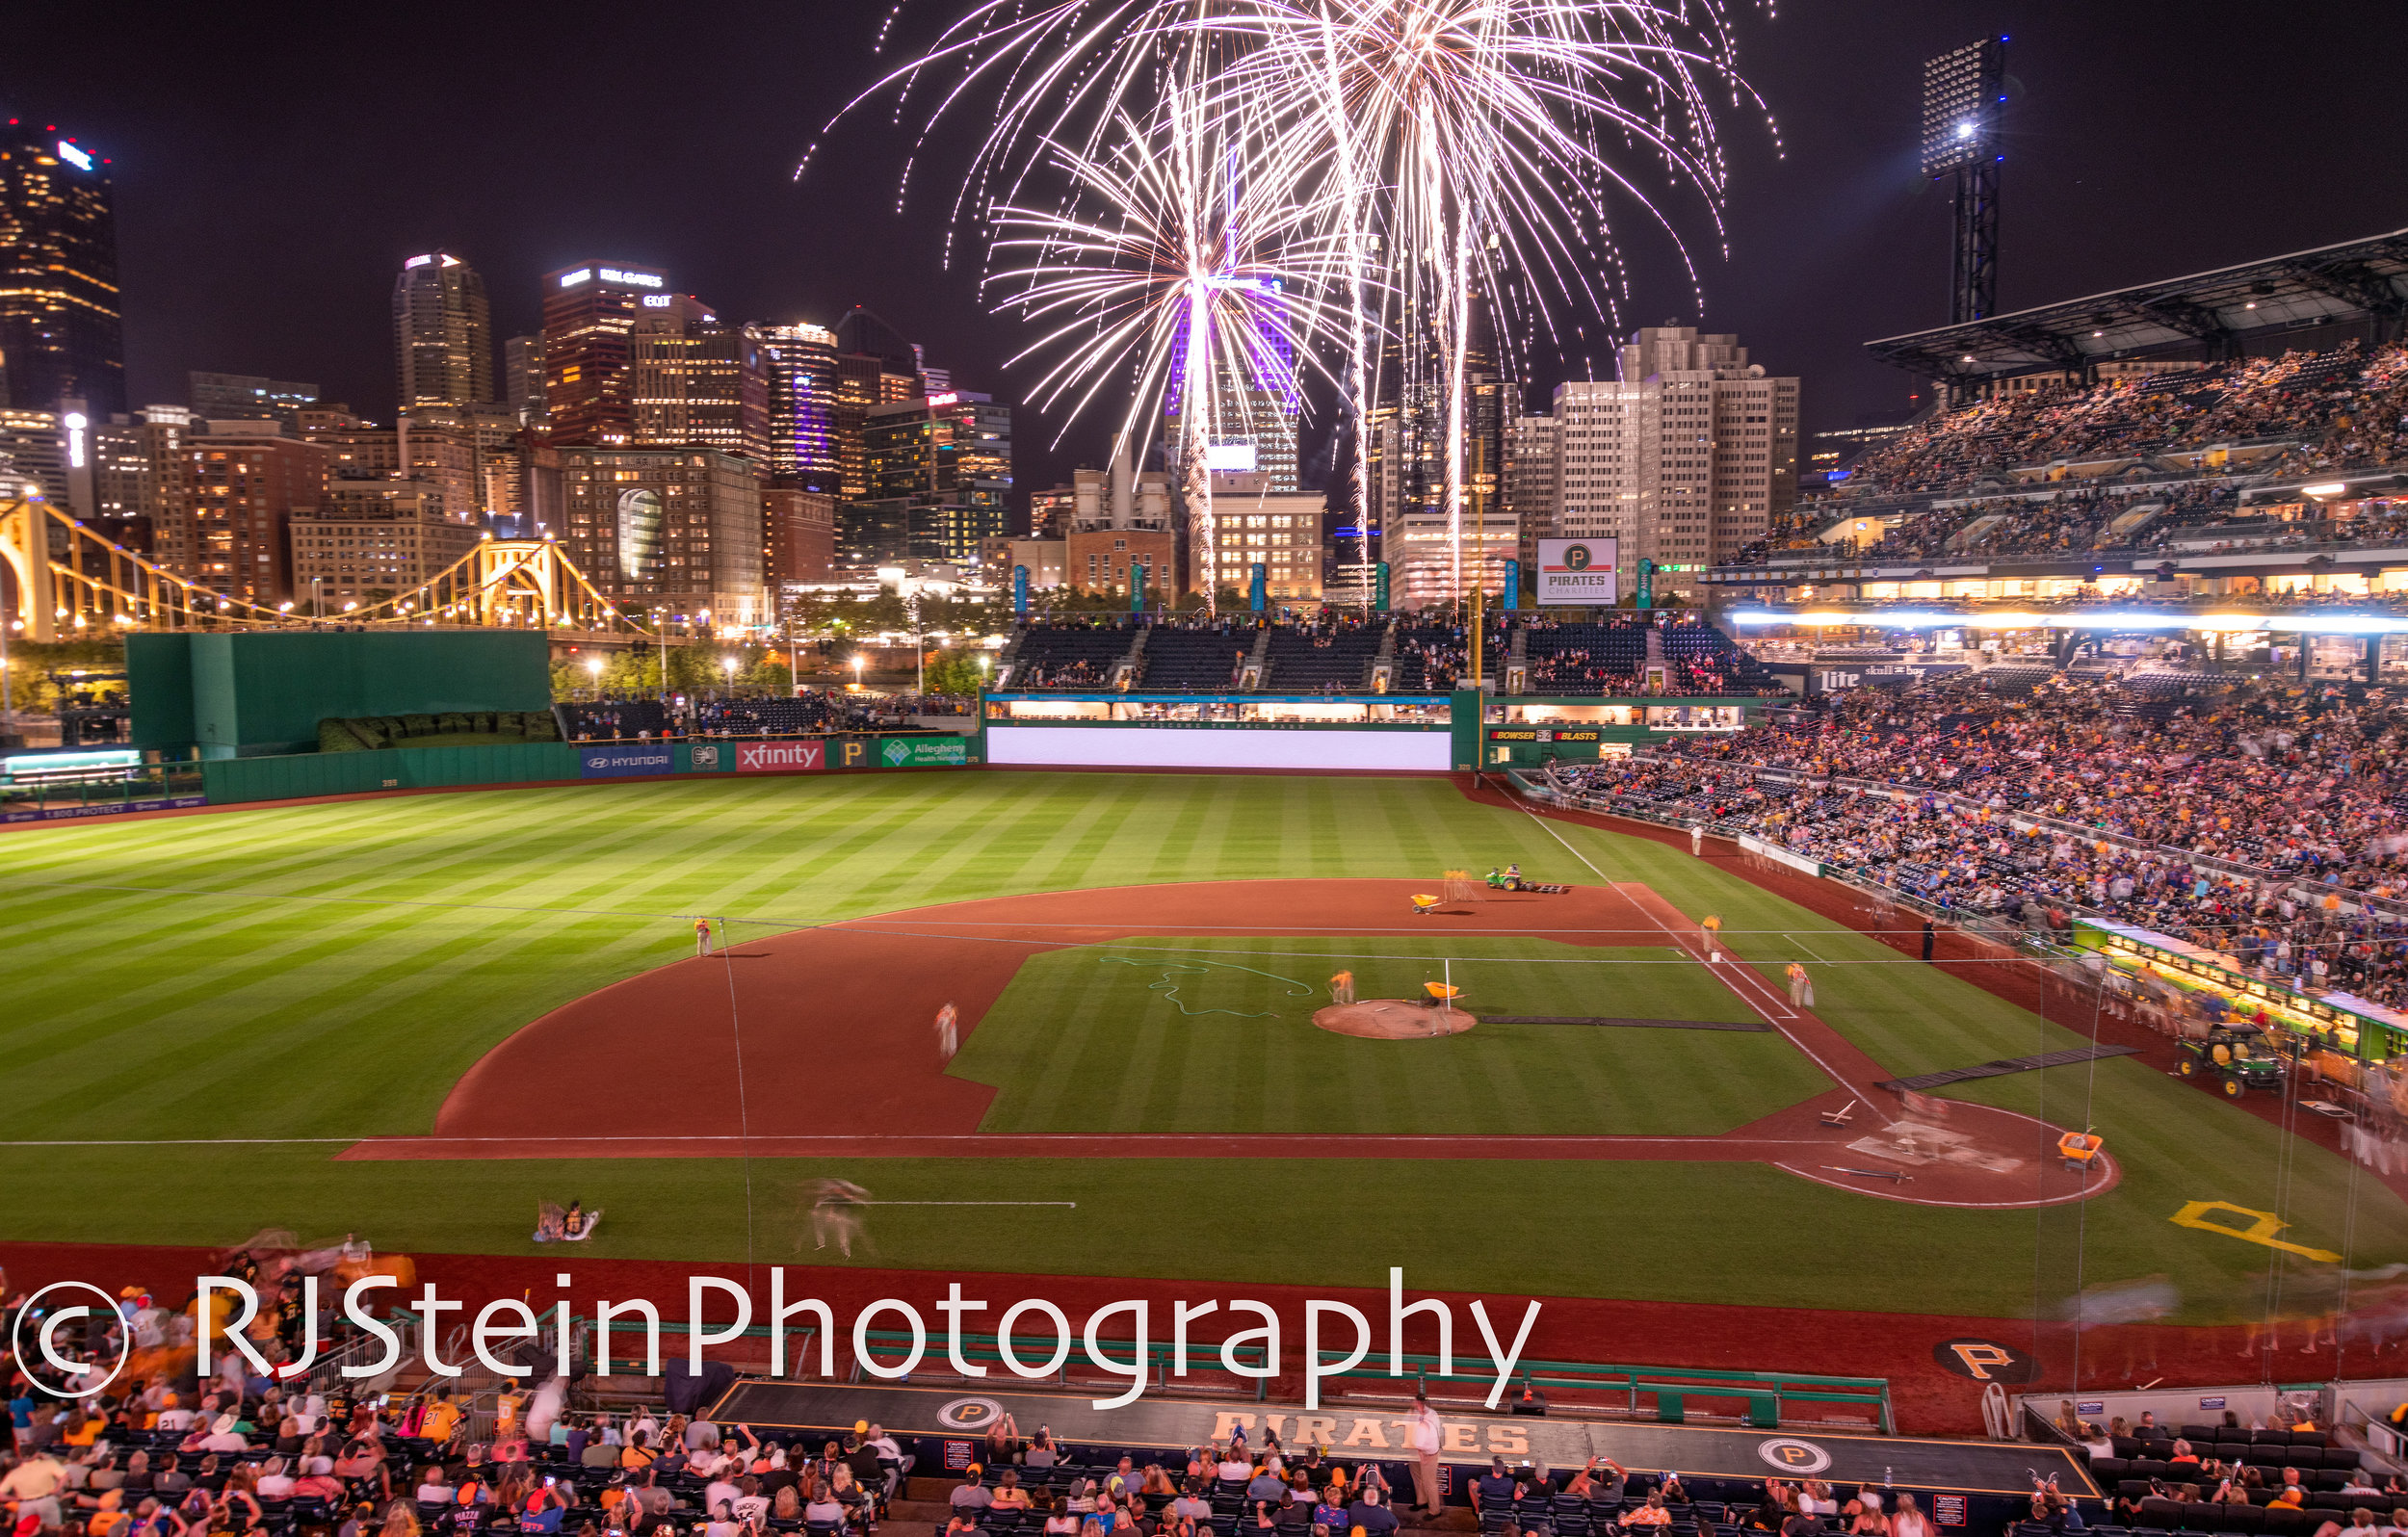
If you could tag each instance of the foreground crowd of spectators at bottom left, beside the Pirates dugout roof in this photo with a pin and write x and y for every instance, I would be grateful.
(170, 1454)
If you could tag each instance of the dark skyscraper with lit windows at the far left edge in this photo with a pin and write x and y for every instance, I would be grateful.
(61, 331)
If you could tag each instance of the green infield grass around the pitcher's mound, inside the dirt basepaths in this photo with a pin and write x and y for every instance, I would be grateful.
(1217, 1037)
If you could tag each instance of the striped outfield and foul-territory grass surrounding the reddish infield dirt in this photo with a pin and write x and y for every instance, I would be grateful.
(329, 972)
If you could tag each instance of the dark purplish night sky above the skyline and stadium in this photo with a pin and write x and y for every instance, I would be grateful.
(276, 165)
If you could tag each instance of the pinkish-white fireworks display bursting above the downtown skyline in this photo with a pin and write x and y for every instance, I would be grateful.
(1441, 155)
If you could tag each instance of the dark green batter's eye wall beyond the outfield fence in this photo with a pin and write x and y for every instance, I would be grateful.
(235, 695)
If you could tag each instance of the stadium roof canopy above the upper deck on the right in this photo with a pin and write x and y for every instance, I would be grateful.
(2214, 312)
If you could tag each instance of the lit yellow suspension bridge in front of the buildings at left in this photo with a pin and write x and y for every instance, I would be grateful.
(76, 579)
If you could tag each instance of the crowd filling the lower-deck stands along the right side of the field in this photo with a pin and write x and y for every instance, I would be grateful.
(2265, 823)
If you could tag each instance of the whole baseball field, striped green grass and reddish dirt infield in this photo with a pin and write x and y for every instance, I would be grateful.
(415, 1018)
